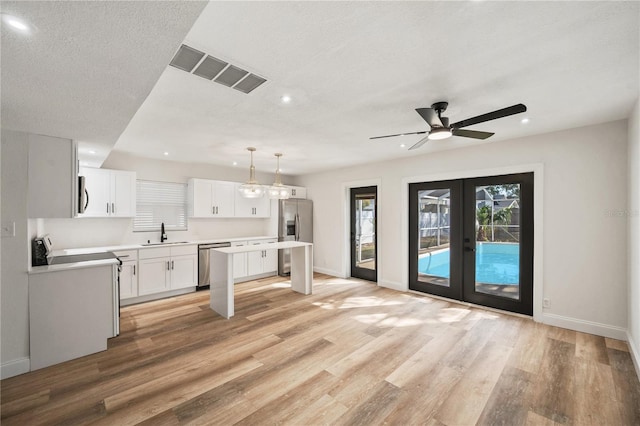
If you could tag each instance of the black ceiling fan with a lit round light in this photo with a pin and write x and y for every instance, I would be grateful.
(440, 128)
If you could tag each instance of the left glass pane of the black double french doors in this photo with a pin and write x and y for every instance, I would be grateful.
(434, 231)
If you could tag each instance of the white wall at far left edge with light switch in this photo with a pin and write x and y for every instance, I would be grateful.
(14, 315)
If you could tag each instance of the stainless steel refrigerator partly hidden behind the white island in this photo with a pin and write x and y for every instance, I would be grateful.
(295, 223)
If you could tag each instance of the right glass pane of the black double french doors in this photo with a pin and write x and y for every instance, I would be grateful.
(498, 240)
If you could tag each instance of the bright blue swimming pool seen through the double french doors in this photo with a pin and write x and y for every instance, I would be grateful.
(496, 263)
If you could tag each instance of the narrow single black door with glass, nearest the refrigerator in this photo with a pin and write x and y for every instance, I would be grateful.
(364, 257)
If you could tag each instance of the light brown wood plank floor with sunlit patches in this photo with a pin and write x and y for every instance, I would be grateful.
(351, 353)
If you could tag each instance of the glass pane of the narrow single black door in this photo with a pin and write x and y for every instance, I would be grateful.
(365, 232)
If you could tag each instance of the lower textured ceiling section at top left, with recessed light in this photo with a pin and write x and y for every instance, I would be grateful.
(88, 66)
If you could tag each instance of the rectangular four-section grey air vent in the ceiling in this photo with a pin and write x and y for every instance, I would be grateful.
(206, 66)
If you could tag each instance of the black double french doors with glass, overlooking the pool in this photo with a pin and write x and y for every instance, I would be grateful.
(472, 240)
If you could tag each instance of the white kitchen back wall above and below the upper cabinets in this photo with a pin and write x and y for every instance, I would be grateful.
(92, 232)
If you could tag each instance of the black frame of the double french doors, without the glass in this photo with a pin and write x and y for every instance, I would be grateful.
(462, 278)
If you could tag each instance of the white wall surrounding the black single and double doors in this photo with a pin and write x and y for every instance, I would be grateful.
(584, 239)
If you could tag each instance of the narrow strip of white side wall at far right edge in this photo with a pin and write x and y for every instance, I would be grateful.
(633, 214)
